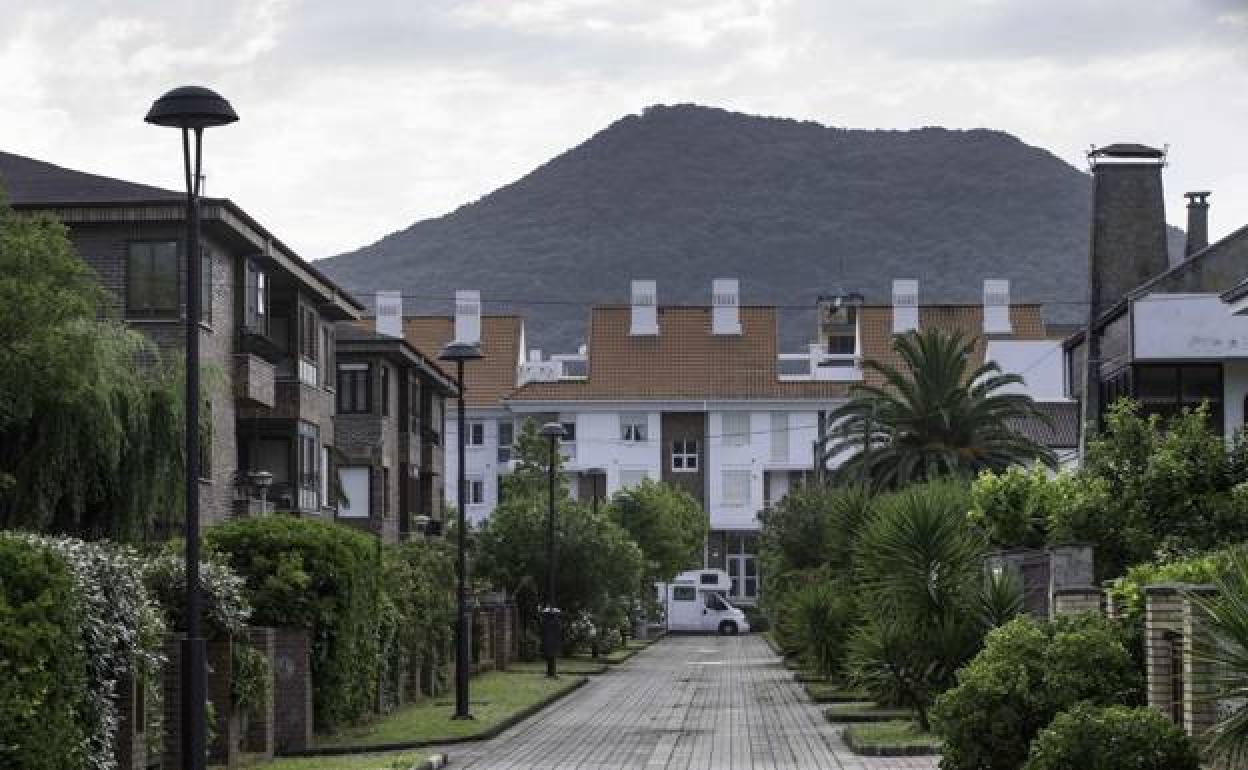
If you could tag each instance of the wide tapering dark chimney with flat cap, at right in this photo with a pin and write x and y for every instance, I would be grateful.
(1129, 222)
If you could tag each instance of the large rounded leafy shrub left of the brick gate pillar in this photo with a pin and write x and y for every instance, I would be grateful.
(1026, 675)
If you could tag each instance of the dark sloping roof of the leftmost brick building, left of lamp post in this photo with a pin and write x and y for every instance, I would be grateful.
(38, 183)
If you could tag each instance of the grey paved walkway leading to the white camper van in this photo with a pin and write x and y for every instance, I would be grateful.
(698, 703)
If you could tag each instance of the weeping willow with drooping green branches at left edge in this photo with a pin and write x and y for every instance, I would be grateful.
(90, 419)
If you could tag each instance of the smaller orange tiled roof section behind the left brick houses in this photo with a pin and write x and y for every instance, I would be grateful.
(487, 381)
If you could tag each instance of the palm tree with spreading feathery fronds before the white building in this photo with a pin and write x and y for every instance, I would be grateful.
(934, 417)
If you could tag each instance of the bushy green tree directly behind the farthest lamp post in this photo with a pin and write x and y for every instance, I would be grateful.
(600, 567)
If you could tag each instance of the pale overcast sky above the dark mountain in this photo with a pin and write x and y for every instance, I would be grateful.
(361, 118)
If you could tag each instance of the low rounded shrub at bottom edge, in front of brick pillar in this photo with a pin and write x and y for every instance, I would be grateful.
(1114, 738)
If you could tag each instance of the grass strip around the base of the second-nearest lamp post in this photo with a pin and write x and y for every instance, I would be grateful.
(496, 697)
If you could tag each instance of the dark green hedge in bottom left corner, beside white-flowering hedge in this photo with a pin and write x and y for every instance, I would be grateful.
(43, 663)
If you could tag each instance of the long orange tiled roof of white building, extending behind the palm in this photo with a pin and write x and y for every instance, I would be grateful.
(686, 361)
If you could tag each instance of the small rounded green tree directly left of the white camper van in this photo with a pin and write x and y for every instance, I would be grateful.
(668, 525)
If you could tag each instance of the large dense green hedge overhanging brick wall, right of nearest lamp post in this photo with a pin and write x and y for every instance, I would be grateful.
(325, 578)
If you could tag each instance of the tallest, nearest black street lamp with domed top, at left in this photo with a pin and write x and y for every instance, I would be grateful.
(193, 109)
